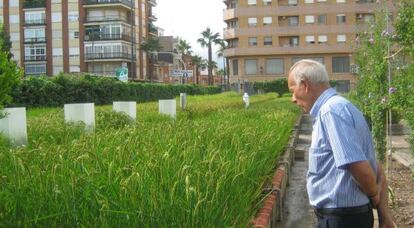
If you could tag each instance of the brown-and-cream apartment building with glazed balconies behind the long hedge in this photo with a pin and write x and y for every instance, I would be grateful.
(95, 36)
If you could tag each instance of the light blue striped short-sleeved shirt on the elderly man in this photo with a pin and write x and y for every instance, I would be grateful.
(340, 136)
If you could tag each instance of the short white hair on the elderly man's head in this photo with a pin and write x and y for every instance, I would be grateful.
(311, 70)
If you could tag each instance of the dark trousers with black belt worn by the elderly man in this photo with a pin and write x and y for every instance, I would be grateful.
(358, 220)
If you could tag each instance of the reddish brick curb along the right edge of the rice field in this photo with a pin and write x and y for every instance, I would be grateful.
(272, 208)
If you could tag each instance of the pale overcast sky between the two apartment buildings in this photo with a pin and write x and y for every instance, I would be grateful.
(188, 18)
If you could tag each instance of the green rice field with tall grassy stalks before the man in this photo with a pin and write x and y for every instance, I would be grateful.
(205, 169)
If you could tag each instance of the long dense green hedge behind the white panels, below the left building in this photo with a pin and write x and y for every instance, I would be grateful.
(64, 89)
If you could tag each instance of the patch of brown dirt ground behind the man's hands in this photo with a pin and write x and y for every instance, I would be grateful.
(402, 183)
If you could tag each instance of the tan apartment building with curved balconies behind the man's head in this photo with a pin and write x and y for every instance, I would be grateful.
(266, 37)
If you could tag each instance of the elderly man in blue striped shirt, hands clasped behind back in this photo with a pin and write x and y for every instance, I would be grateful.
(342, 180)
